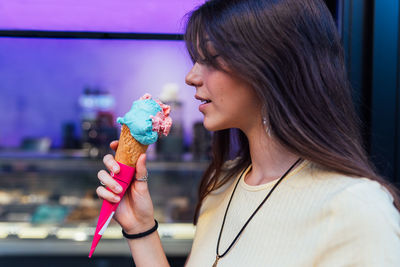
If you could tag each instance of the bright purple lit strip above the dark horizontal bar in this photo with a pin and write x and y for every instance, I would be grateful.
(131, 16)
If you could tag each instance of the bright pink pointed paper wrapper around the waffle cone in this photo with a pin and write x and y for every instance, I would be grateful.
(124, 178)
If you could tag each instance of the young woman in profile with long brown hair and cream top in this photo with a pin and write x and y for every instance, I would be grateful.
(289, 183)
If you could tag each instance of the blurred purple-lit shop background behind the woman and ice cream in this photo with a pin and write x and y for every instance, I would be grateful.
(69, 68)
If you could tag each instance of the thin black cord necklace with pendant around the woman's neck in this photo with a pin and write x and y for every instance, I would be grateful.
(219, 256)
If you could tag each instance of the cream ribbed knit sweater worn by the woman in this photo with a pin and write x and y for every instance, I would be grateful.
(313, 218)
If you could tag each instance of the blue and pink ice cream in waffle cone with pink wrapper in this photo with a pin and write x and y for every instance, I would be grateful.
(148, 118)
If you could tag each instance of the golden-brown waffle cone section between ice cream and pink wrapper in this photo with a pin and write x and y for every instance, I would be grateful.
(129, 149)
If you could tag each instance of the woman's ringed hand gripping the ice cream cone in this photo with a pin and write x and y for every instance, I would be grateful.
(135, 212)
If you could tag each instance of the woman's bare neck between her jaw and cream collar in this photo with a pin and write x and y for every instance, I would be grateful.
(270, 160)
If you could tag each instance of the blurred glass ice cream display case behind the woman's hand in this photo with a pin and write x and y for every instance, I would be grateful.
(48, 205)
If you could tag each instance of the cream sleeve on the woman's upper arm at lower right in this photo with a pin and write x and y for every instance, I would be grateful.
(363, 228)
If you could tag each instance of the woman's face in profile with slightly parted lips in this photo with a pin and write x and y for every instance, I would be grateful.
(225, 100)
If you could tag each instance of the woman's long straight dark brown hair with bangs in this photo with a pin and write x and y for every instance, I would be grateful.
(289, 51)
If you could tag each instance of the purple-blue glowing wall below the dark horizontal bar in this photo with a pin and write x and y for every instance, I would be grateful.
(42, 80)
